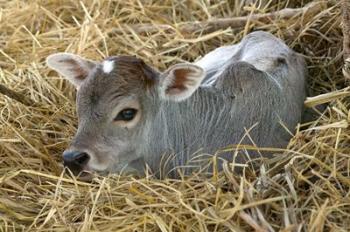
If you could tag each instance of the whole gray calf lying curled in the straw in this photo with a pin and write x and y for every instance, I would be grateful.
(131, 115)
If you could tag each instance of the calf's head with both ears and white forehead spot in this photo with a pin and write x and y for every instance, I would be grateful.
(117, 100)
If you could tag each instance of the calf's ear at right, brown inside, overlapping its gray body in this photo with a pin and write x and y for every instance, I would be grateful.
(180, 81)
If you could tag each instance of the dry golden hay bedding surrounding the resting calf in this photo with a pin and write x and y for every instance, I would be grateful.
(305, 188)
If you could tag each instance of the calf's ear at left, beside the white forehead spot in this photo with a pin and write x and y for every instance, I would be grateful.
(72, 67)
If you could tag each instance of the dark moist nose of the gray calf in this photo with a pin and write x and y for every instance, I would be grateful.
(75, 160)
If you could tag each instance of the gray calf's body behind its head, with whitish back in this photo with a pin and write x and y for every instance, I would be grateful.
(253, 93)
